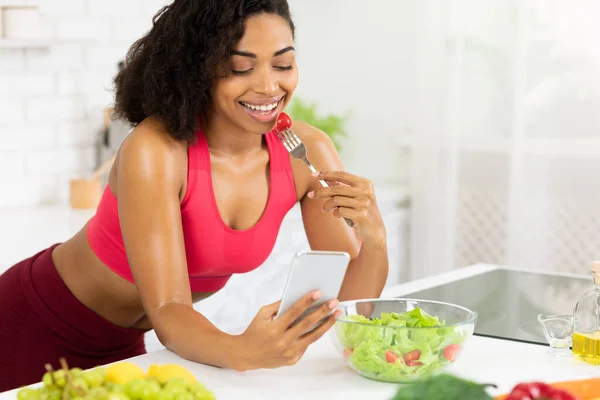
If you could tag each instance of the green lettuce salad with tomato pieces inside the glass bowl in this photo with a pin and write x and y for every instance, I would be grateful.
(399, 355)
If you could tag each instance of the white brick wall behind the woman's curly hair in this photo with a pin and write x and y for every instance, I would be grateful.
(52, 100)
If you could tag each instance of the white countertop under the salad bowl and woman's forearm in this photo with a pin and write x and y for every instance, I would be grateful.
(322, 374)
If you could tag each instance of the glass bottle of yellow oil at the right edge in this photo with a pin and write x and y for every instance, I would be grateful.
(586, 322)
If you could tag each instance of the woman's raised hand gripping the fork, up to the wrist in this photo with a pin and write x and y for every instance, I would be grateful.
(352, 197)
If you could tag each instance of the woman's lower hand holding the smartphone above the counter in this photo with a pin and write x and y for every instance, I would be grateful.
(272, 343)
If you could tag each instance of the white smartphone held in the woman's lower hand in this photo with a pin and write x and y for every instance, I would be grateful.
(311, 270)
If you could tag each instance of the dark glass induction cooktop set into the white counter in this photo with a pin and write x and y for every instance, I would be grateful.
(509, 301)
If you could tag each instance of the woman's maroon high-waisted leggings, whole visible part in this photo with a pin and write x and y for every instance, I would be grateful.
(41, 321)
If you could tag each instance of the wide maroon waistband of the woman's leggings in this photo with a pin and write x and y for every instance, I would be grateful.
(54, 303)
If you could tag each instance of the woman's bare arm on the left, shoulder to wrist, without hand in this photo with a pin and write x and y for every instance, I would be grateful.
(149, 185)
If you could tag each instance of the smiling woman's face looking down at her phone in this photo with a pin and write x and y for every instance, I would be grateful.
(262, 75)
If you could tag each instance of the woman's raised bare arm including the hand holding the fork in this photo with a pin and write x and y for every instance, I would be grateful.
(351, 197)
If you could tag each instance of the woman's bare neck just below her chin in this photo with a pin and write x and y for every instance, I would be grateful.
(226, 138)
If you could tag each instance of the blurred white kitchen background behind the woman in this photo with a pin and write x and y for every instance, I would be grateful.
(477, 120)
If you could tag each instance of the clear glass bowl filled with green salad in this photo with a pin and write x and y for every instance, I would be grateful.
(401, 340)
